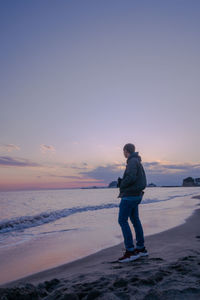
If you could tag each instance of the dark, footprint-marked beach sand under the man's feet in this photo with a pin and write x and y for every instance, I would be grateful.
(172, 271)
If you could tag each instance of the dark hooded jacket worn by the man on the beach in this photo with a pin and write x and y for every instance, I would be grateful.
(134, 178)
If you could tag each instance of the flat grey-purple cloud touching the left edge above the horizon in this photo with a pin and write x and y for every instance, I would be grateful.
(16, 162)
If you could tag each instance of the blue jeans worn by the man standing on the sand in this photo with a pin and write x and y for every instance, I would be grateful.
(128, 208)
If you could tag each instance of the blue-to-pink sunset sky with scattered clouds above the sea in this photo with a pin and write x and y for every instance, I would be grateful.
(79, 79)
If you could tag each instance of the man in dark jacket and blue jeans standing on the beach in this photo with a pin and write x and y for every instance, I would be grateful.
(131, 192)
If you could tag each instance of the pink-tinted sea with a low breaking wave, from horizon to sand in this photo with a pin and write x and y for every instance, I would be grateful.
(46, 228)
